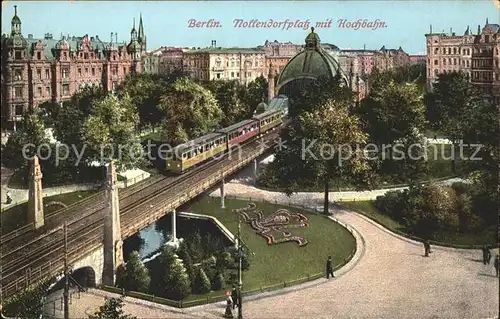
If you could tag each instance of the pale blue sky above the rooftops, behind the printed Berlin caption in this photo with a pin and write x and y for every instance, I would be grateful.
(166, 23)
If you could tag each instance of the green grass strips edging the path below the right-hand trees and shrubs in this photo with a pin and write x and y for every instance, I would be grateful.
(366, 208)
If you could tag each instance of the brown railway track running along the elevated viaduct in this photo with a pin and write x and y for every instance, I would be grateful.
(90, 226)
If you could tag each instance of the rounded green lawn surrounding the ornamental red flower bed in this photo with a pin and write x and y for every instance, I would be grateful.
(275, 264)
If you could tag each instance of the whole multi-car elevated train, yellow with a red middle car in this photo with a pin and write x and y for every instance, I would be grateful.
(185, 156)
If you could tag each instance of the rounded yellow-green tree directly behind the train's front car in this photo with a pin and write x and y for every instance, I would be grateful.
(190, 111)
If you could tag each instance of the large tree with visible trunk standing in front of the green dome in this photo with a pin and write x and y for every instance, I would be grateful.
(321, 141)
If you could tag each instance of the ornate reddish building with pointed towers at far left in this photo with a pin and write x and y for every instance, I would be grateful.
(38, 70)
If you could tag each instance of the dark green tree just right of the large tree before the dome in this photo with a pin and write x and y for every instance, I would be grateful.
(394, 115)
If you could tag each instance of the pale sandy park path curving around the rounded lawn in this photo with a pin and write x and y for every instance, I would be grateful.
(391, 279)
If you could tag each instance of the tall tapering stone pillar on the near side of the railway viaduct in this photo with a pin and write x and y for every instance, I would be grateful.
(113, 252)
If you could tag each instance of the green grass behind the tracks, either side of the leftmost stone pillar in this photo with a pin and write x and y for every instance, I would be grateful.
(16, 217)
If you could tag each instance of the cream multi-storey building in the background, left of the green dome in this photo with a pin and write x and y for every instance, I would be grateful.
(215, 63)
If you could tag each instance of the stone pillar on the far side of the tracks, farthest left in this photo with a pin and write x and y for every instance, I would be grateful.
(35, 199)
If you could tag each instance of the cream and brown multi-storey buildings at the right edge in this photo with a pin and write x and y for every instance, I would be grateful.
(477, 55)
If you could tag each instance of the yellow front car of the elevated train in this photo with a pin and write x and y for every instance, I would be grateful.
(187, 155)
